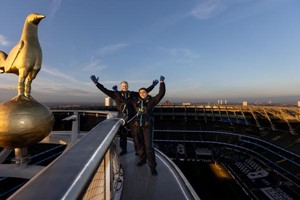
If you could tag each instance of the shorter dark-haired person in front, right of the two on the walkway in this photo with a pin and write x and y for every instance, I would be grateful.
(143, 125)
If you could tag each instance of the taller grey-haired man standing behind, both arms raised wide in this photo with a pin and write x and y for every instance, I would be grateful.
(123, 108)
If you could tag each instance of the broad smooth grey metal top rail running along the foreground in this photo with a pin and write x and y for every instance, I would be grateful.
(70, 174)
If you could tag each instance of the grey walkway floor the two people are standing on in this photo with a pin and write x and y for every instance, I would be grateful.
(140, 184)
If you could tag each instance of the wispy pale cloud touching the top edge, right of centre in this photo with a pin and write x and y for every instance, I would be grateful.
(208, 9)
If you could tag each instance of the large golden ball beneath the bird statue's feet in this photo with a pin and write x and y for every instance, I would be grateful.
(23, 123)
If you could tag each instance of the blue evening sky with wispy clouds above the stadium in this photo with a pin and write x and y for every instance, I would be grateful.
(207, 50)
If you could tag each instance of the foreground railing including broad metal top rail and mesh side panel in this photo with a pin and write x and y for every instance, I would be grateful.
(86, 170)
